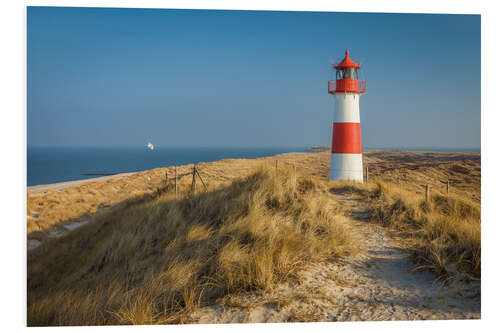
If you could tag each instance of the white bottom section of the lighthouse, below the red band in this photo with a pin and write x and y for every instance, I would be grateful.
(346, 167)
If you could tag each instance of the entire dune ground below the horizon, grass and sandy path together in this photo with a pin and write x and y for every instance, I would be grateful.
(114, 237)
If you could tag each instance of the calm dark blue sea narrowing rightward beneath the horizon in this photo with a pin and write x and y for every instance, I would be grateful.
(52, 165)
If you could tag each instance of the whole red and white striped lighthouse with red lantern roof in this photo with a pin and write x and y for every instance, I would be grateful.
(346, 162)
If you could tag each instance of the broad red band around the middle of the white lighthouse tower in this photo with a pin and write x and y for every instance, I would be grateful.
(346, 138)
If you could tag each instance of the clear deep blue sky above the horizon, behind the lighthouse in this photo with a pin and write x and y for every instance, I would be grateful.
(122, 77)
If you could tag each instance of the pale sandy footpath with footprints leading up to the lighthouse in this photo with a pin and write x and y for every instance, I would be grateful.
(377, 284)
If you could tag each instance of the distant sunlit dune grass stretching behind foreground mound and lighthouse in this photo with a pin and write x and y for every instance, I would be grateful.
(409, 169)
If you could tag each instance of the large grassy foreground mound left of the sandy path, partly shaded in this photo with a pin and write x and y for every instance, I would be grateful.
(156, 261)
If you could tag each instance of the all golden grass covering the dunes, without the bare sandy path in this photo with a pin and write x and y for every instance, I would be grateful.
(154, 258)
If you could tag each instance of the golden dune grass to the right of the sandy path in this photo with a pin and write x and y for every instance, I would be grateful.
(443, 234)
